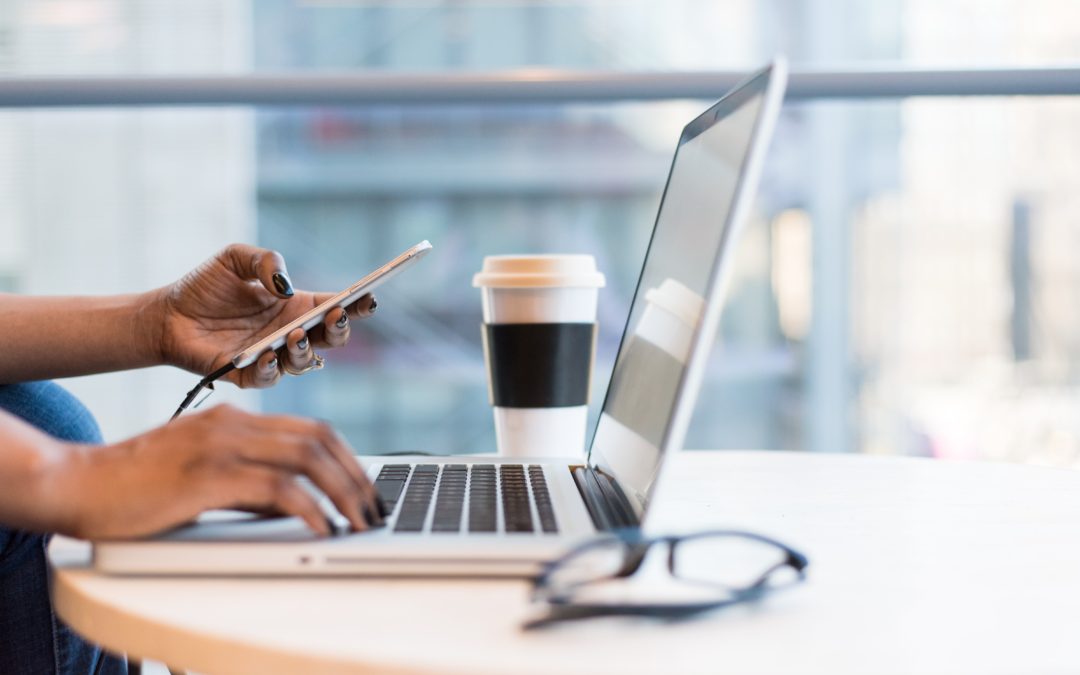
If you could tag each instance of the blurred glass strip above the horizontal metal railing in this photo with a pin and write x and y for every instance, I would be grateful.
(116, 37)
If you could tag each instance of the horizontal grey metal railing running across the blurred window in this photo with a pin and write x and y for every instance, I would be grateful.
(518, 87)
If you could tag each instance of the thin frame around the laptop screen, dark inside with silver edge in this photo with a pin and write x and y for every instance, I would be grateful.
(769, 84)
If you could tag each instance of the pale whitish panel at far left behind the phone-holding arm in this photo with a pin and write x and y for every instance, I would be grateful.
(123, 201)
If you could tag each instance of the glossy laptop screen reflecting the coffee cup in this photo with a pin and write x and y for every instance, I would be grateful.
(694, 226)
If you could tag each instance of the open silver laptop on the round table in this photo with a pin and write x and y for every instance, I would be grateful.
(482, 516)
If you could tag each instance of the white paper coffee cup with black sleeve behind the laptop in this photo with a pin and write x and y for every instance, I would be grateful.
(539, 337)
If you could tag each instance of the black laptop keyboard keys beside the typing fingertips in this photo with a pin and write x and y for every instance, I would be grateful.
(470, 497)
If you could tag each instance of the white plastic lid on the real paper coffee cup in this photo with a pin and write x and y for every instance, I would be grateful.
(539, 272)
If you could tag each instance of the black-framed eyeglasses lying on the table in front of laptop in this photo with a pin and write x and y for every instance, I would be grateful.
(705, 572)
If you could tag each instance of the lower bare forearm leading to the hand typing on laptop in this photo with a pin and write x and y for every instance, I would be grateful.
(30, 461)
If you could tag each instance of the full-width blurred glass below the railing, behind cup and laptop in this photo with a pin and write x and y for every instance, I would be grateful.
(944, 231)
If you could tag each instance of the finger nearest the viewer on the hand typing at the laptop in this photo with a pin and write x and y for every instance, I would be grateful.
(266, 489)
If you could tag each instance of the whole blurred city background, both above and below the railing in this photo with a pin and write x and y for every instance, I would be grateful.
(909, 286)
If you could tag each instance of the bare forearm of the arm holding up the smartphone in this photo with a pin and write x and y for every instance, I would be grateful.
(49, 337)
